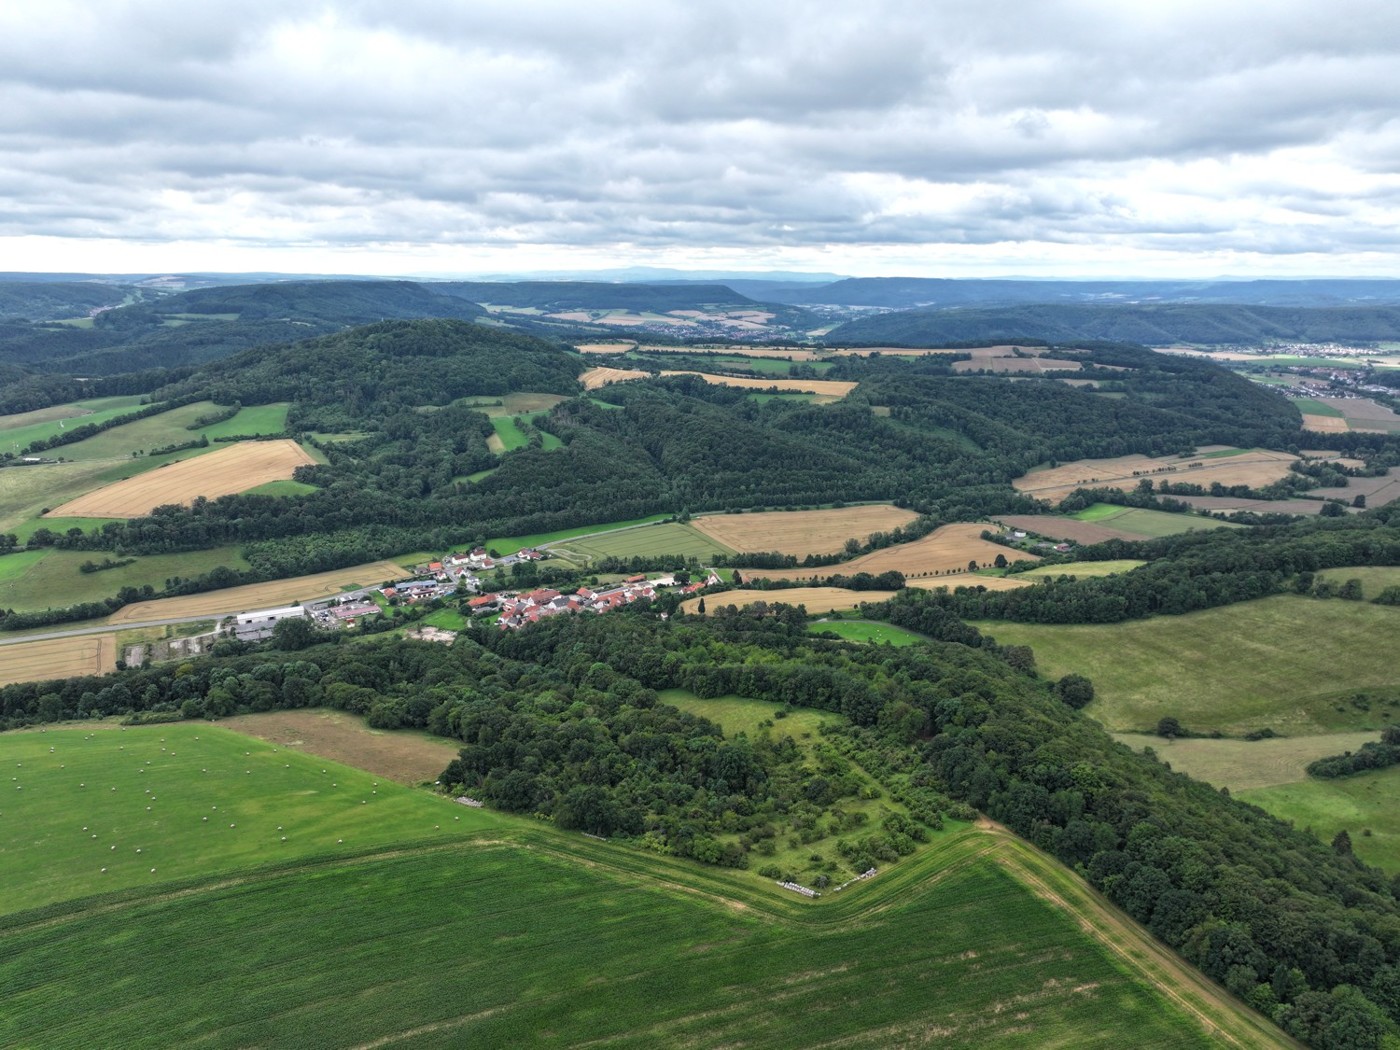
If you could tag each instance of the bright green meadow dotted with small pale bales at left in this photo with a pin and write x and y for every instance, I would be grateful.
(191, 801)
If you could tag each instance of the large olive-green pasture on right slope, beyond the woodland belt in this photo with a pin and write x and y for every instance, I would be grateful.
(1245, 667)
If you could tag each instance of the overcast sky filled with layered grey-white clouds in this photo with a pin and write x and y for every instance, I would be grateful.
(884, 138)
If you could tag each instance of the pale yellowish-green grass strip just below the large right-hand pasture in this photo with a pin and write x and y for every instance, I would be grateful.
(1247, 765)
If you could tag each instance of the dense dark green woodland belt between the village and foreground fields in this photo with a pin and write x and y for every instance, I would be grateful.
(563, 722)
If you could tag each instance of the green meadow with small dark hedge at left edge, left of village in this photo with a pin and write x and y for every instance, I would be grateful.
(51, 579)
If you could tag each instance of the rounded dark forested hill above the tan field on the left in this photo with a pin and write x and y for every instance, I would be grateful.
(353, 380)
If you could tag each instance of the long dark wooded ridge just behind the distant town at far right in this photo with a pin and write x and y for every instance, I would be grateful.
(1154, 325)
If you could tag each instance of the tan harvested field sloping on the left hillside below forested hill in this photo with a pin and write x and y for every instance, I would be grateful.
(236, 470)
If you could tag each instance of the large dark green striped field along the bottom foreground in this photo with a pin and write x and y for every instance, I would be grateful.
(514, 943)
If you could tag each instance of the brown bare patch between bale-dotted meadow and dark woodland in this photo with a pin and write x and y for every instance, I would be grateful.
(408, 758)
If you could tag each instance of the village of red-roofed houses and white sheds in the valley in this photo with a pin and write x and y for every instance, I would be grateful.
(456, 576)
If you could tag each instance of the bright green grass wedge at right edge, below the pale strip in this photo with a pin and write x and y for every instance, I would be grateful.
(1363, 806)
